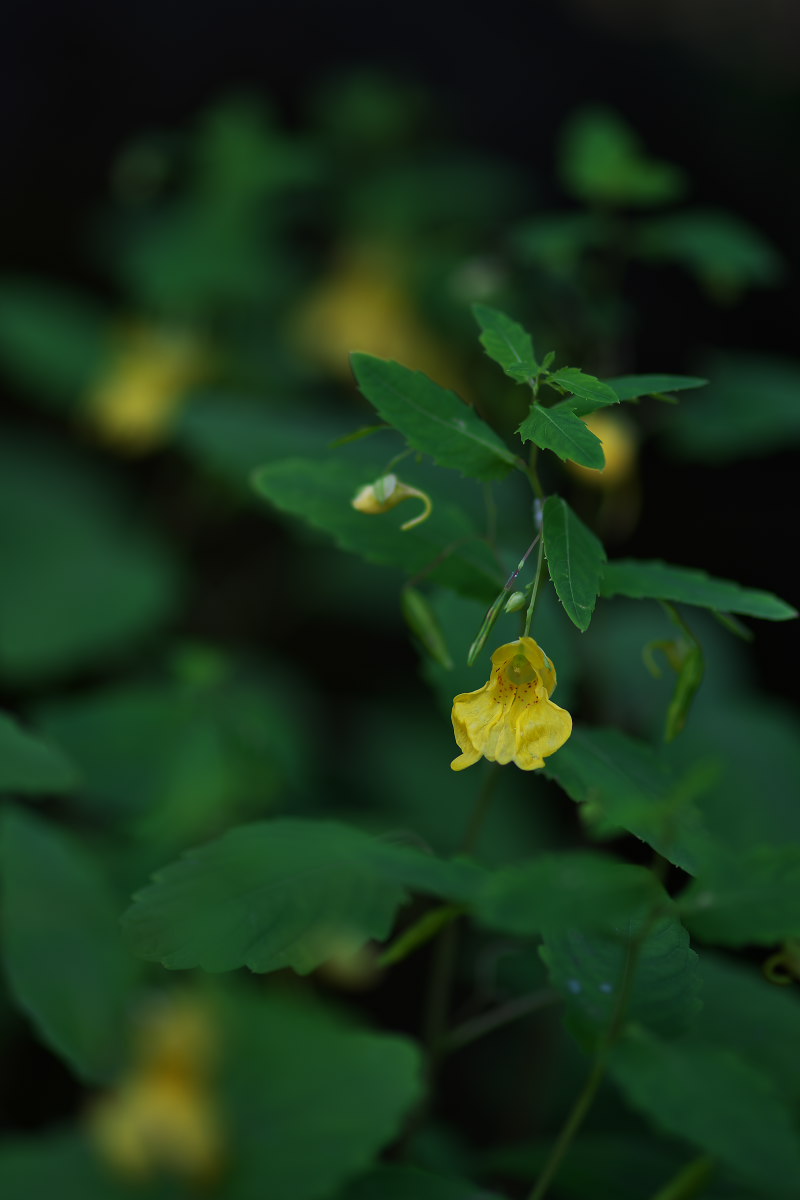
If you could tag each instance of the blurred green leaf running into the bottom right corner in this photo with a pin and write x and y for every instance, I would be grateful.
(715, 1101)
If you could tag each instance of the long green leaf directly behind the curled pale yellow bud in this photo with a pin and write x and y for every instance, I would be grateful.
(321, 493)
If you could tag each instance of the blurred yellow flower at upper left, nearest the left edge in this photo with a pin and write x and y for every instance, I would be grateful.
(135, 403)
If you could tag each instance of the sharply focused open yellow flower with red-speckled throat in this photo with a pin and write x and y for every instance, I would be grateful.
(512, 718)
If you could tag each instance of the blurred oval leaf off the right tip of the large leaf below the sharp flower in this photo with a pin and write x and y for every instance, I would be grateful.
(560, 892)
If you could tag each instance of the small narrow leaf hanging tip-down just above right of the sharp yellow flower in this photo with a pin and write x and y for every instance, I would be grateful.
(575, 559)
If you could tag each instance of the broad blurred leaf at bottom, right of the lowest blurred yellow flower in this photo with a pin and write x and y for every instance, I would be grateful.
(312, 1101)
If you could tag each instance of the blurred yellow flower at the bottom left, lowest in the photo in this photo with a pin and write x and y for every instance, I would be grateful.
(164, 1115)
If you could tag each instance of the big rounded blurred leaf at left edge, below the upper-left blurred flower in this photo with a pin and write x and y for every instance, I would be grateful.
(85, 580)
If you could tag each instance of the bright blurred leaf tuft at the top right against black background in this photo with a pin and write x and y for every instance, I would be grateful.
(601, 163)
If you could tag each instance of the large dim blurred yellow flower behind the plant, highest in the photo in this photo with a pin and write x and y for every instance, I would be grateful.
(363, 305)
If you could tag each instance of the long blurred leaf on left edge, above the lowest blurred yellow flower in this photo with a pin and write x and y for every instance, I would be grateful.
(64, 953)
